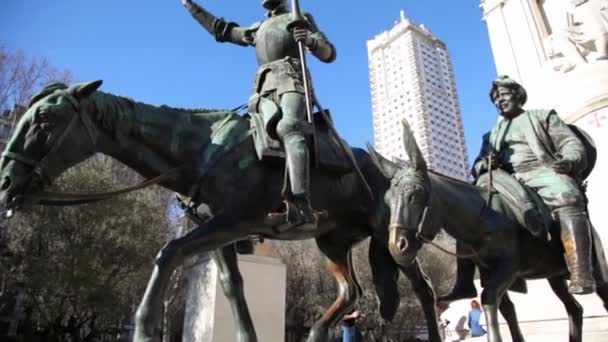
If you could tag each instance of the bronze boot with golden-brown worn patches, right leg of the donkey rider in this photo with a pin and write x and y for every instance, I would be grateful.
(576, 238)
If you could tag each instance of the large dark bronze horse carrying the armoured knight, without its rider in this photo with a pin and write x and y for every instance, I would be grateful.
(214, 151)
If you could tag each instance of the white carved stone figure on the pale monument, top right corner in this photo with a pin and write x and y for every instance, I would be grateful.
(582, 37)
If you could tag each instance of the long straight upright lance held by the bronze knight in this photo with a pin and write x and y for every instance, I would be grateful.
(298, 21)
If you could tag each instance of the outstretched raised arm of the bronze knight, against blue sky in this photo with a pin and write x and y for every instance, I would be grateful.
(222, 30)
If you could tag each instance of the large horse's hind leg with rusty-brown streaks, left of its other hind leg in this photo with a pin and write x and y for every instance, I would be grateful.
(339, 263)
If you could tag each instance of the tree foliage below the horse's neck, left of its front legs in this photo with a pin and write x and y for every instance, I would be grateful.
(83, 269)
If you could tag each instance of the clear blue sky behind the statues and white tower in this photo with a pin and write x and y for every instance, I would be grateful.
(154, 52)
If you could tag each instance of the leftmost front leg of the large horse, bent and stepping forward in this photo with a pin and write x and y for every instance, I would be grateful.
(207, 237)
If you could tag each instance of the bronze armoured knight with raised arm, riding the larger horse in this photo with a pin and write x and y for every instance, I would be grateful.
(279, 94)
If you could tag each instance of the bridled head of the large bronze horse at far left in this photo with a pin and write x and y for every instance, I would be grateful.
(52, 135)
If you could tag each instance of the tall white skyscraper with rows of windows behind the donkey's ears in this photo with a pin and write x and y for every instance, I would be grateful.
(412, 77)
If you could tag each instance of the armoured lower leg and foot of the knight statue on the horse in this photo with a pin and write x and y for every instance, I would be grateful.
(299, 213)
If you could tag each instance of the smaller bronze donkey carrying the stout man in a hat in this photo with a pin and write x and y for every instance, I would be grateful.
(422, 202)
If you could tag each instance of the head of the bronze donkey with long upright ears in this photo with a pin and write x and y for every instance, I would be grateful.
(407, 198)
